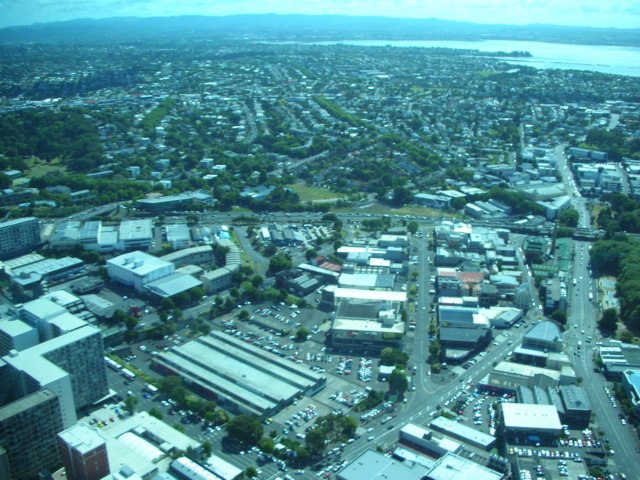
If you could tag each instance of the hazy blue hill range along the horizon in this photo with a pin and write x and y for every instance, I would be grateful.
(306, 28)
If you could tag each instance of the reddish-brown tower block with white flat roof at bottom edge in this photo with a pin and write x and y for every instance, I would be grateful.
(84, 453)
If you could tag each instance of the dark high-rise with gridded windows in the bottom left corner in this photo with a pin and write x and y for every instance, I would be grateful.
(28, 429)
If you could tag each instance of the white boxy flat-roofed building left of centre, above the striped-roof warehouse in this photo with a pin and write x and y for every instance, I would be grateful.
(136, 269)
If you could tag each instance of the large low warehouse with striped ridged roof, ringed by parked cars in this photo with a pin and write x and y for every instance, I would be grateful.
(246, 378)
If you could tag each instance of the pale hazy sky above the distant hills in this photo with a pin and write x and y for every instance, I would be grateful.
(596, 13)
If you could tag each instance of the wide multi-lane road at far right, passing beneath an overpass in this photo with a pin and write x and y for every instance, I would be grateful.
(582, 323)
